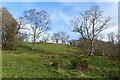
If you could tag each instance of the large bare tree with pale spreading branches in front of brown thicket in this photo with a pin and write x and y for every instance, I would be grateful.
(90, 23)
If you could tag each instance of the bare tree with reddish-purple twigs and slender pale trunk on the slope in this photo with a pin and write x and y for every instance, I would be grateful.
(39, 22)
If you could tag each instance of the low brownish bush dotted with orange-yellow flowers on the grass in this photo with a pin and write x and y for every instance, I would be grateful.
(80, 63)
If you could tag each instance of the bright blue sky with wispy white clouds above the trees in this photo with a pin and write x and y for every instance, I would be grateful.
(62, 12)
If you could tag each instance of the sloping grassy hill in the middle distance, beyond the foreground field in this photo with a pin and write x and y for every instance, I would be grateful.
(56, 49)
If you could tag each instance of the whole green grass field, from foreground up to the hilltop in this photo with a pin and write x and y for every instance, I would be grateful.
(27, 63)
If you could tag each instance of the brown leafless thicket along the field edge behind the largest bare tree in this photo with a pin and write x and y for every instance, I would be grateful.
(101, 48)
